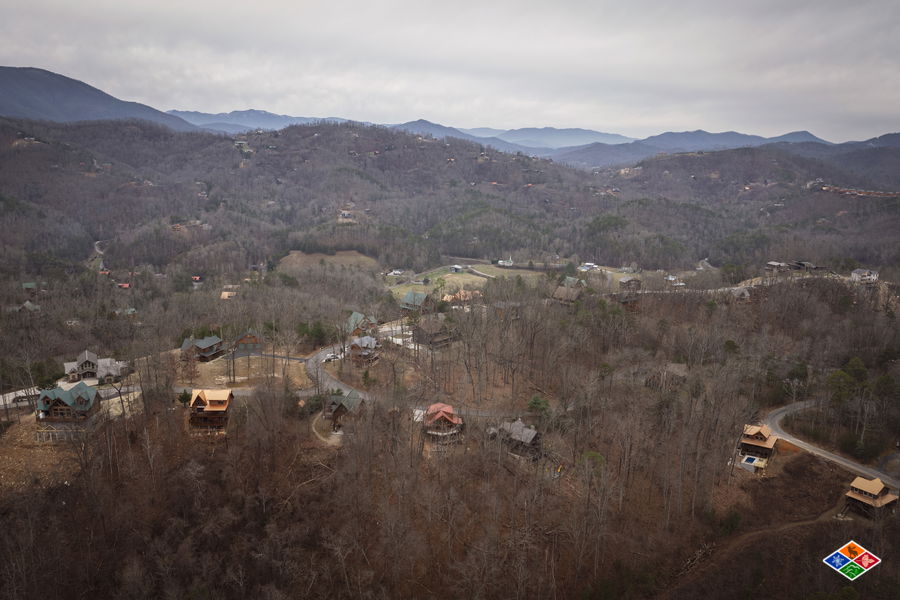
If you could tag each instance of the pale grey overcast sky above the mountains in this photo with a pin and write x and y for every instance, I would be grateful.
(637, 68)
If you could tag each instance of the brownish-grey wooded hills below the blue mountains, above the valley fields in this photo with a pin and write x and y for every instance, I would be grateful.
(413, 199)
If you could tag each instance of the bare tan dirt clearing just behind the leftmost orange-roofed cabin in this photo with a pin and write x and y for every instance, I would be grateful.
(249, 371)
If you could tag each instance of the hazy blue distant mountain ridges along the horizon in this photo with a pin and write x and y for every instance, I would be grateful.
(42, 95)
